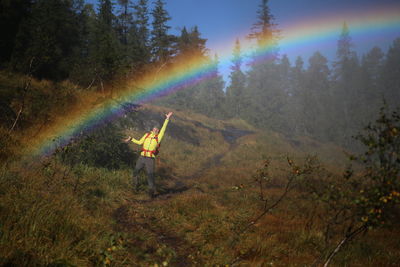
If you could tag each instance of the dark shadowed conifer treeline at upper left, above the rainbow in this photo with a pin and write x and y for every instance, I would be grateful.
(69, 39)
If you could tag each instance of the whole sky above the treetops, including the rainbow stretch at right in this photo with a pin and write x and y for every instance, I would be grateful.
(222, 21)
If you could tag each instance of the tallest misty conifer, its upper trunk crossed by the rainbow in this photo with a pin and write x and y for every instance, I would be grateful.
(266, 99)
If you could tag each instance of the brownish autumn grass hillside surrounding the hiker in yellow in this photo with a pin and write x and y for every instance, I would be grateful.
(221, 201)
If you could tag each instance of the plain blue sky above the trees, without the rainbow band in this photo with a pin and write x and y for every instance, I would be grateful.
(222, 21)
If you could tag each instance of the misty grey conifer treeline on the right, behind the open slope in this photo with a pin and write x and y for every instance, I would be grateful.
(329, 101)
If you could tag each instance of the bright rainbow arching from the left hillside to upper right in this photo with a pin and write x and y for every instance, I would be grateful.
(193, 71)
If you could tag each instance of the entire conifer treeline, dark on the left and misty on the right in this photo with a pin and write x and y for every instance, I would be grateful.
(122, 40)
